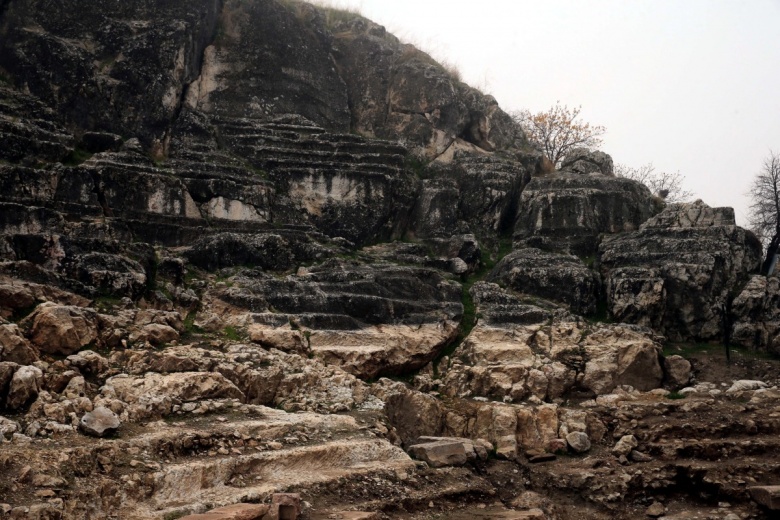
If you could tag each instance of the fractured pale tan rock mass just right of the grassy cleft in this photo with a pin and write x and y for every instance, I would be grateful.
(520, 351)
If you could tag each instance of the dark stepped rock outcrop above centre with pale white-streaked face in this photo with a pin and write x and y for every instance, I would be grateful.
(341, 184)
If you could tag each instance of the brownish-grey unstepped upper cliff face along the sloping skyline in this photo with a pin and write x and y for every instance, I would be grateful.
(397, 91)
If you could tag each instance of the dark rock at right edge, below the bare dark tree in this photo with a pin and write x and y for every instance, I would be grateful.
(756, 312)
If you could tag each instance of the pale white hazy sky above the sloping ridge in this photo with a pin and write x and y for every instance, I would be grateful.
(689, 85)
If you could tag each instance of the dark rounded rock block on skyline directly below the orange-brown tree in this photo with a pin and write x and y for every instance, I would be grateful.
(567, 212)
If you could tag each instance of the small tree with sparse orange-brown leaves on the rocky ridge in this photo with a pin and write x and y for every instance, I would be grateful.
(558, 131)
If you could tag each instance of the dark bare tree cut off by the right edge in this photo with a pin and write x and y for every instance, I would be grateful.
(765, 207)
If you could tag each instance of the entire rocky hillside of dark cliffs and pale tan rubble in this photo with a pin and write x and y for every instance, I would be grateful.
(258, 246)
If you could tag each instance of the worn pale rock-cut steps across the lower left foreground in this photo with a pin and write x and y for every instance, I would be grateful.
(196, 463)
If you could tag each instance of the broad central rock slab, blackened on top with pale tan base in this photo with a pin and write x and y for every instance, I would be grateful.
(369, 319)
